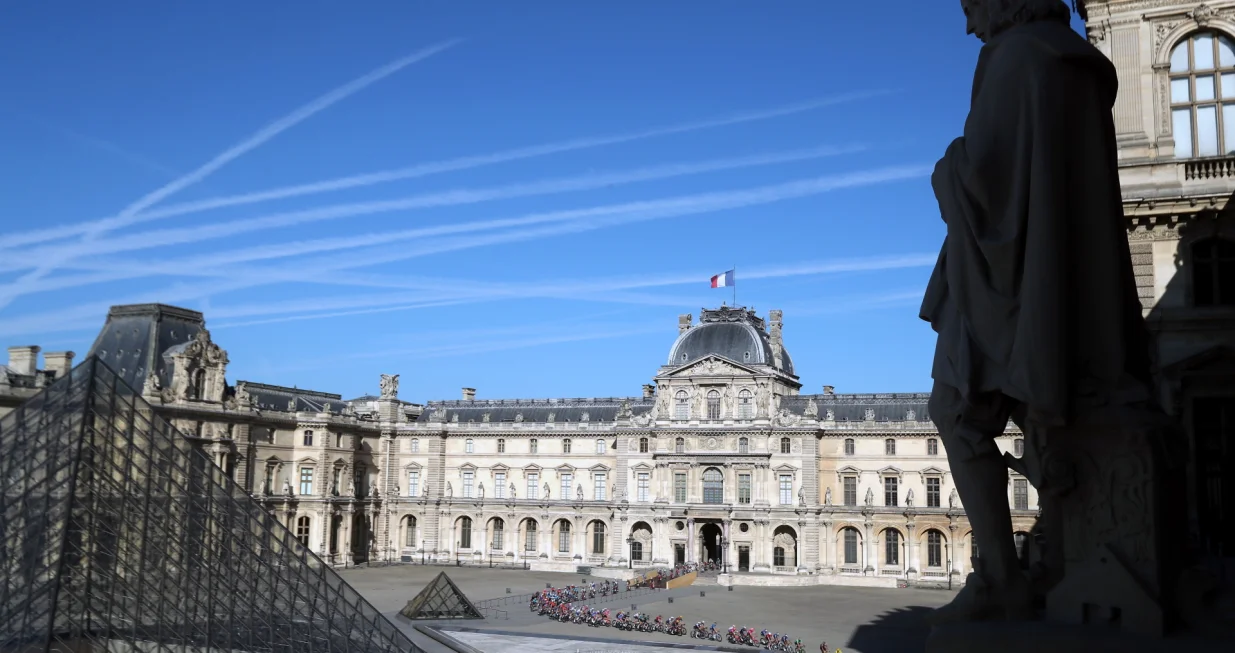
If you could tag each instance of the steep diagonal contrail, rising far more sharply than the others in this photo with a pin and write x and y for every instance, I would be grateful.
(129, 215)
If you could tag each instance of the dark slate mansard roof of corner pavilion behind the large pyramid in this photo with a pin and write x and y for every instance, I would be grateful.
(135, 338)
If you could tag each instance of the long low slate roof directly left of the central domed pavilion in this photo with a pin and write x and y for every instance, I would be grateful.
(535, 410)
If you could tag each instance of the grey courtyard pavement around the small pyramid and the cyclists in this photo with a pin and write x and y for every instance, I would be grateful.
(864, 620)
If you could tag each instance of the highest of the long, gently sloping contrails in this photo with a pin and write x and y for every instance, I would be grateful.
(463, 164)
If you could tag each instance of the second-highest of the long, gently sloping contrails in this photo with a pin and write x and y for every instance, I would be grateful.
(451, 198)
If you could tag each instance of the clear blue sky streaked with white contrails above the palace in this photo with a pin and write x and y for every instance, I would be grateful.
(516, 197)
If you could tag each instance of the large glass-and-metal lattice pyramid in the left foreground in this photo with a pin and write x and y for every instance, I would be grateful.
(120, 535)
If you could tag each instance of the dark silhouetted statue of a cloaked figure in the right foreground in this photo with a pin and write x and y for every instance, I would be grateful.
(1028, 278)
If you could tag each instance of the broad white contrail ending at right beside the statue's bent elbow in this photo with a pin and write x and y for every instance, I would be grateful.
(575, 222)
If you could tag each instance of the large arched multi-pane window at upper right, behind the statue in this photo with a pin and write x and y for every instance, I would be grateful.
(1204, 96)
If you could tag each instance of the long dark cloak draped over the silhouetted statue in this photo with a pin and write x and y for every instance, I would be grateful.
(1034, 293)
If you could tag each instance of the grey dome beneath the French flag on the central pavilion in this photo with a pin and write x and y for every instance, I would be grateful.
(734, 334)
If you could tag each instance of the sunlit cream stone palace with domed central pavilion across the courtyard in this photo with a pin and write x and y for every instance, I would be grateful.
(721, 457)
